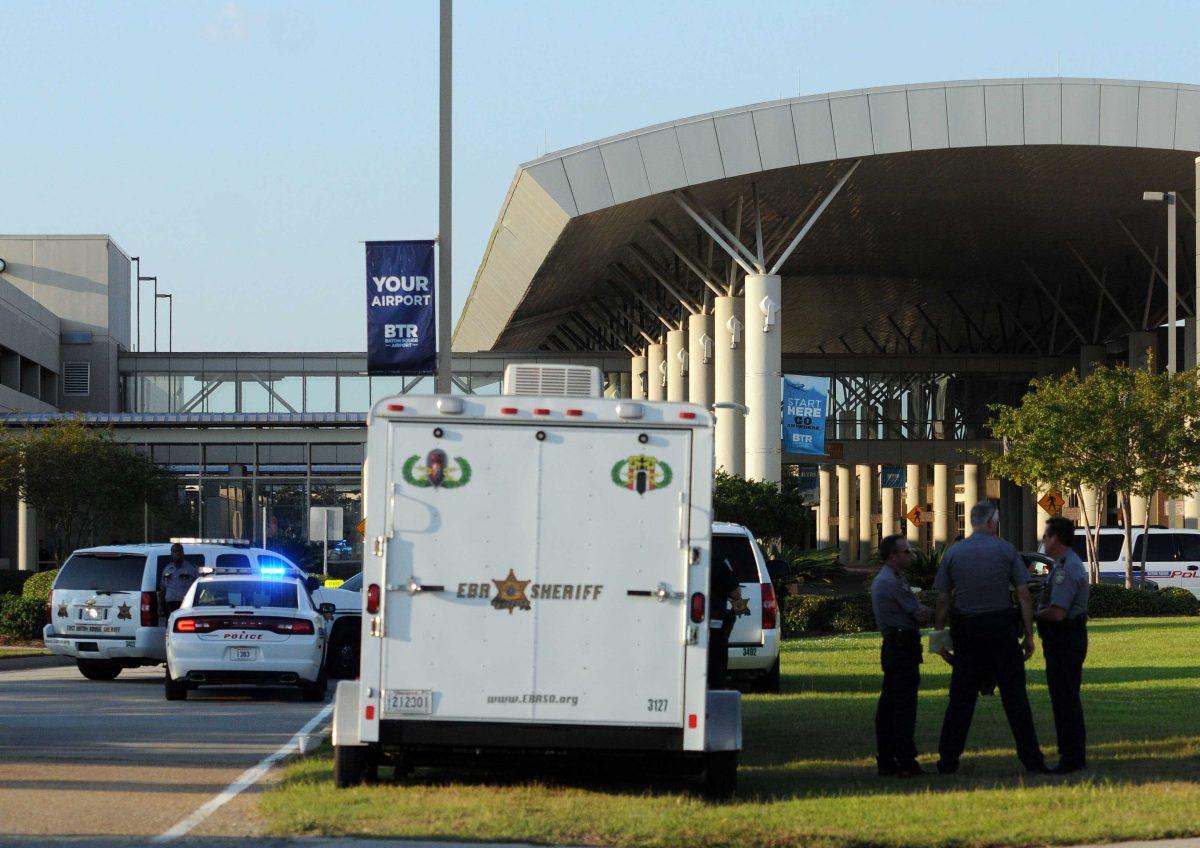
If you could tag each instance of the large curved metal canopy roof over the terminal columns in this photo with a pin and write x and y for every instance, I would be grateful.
(976, 208)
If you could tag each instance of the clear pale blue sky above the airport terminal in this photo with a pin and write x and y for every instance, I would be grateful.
(245, 149)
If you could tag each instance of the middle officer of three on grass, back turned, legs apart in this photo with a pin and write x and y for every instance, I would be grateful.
(976, 574)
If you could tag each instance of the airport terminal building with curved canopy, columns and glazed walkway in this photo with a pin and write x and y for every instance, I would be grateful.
(929, 249)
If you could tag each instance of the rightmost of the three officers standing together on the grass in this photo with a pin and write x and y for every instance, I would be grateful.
(1063, 624)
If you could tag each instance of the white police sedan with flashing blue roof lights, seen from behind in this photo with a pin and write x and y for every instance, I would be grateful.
(248, 627)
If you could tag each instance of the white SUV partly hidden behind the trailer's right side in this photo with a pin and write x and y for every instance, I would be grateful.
(754, 642)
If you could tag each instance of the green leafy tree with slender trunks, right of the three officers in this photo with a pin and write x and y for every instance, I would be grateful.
(1130, 431)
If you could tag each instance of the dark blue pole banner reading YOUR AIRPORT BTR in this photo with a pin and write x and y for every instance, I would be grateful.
(401, 315)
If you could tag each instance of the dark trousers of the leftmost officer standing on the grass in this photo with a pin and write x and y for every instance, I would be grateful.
(896, 718)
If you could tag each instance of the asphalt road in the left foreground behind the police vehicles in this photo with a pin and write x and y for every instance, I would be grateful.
(82, 759)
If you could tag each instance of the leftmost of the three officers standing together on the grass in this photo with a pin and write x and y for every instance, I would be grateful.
(899, 616)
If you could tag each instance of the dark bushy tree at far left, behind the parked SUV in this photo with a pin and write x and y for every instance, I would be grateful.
(86, 486)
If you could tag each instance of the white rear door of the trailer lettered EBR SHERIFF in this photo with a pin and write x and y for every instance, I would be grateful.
(553, 575)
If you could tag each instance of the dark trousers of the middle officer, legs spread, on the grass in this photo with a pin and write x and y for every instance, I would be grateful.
(988, 646)
